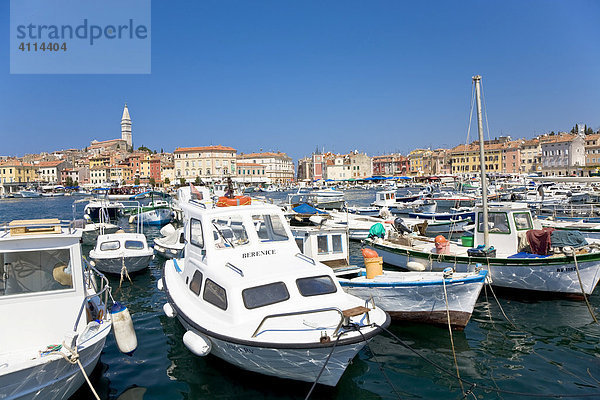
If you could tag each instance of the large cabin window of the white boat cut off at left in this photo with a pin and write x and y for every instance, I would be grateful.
(35, 271)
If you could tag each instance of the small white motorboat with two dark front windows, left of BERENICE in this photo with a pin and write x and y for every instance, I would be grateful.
(121, 252)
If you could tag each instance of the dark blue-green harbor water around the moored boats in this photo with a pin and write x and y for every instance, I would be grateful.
(543, 348)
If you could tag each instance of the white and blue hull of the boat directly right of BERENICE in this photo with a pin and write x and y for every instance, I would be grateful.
(424, 297)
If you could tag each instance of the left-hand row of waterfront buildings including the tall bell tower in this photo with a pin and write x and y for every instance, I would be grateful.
(115, 162)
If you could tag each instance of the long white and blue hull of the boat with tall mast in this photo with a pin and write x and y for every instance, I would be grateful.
(557, 275)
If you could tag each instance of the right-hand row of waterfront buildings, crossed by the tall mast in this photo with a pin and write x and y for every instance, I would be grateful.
(562, 154)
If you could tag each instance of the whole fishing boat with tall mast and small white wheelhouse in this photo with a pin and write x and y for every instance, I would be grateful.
(498, 239)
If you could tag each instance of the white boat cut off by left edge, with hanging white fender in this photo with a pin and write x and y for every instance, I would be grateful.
(52, 311)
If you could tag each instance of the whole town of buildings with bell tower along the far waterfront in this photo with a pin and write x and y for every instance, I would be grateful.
(115, 162)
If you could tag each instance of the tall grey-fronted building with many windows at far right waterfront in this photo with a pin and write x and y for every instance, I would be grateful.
(563, 154)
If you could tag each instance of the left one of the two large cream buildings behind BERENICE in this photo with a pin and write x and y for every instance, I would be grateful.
(209, 163)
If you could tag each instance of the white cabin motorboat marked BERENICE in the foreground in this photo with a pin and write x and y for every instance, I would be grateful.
(245, 294)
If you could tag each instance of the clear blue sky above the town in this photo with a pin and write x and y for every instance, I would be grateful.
(376, 76)
